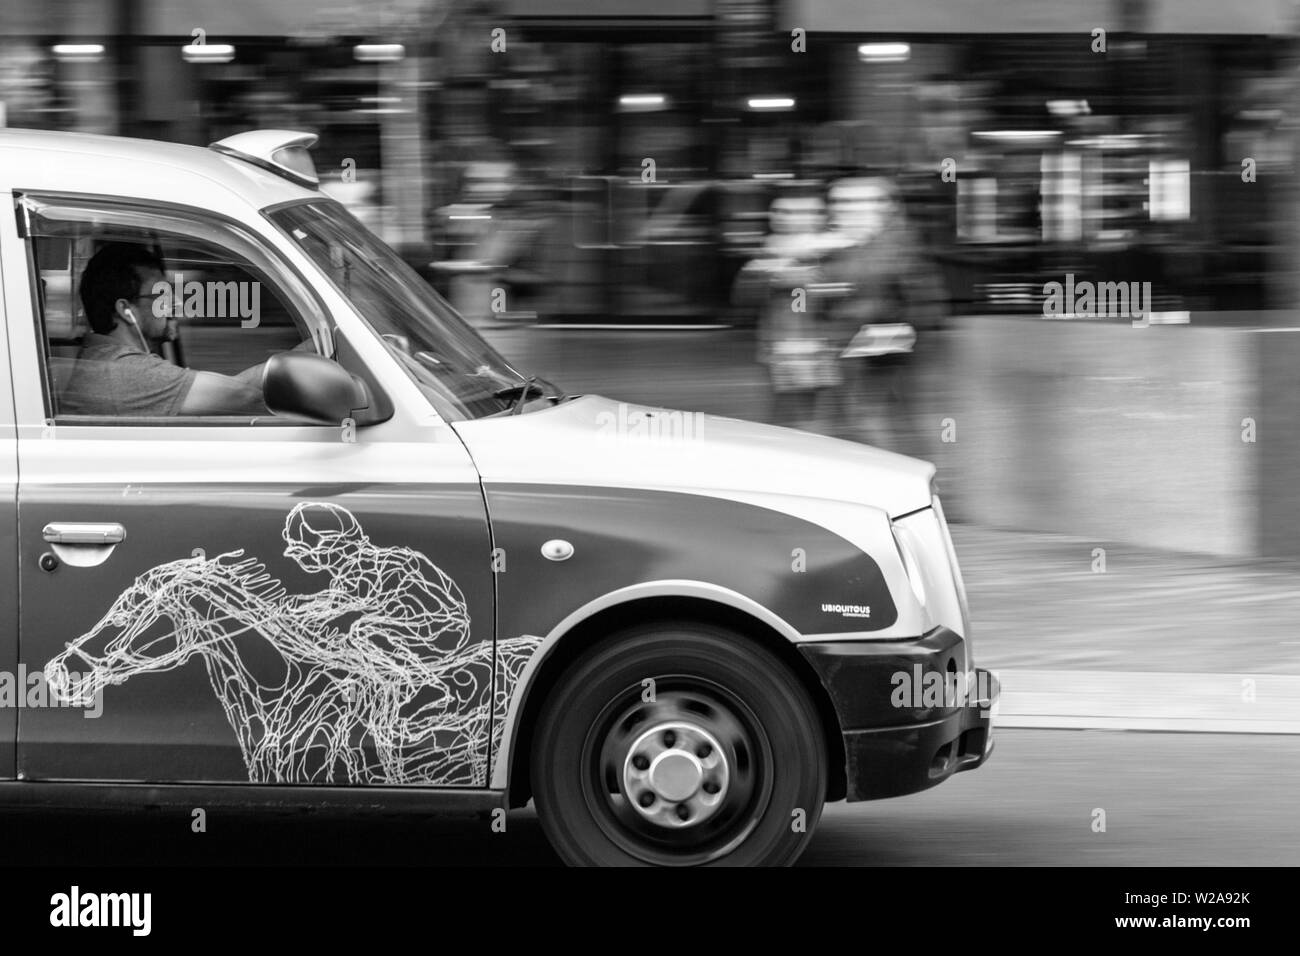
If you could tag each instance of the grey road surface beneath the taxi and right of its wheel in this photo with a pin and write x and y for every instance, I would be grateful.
(1169, 801)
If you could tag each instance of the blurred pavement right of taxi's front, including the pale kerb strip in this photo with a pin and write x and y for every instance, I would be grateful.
(1156, 641)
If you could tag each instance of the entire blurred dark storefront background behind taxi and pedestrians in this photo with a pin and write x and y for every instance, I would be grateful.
(616, 163)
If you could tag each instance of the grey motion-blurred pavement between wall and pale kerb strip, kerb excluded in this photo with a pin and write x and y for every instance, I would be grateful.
(1038, 603)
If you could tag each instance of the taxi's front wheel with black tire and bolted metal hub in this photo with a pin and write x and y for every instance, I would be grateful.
(726, 719)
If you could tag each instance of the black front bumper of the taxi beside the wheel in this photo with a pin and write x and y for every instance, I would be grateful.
(911, 715)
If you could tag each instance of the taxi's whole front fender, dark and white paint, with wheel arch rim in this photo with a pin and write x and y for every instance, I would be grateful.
(772, 557)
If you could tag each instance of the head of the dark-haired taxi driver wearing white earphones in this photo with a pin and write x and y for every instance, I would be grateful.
(118, 287)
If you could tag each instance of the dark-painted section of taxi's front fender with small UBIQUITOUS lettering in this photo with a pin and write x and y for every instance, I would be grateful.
(621, 538)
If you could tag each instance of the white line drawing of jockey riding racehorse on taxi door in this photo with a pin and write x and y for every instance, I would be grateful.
(375, 678)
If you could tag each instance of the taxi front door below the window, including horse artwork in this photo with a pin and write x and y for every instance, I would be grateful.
(183, 693)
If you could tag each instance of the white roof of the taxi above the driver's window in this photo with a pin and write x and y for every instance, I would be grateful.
(83, 163)
